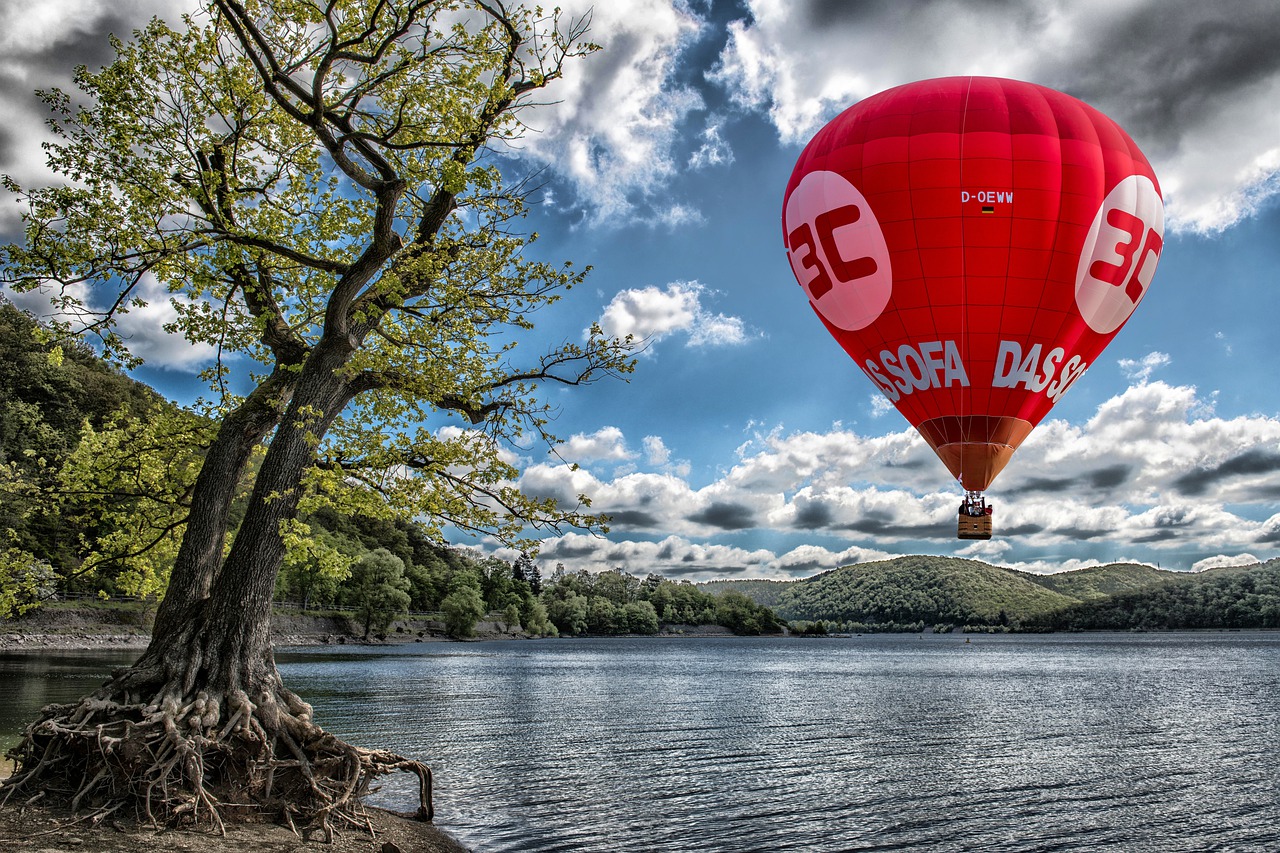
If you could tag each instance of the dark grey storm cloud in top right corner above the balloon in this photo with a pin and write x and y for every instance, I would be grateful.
(1159, 69)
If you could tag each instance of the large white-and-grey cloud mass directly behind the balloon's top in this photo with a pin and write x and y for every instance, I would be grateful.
(1195, 84)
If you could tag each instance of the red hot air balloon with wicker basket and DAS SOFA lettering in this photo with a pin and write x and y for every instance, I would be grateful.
(973, 244)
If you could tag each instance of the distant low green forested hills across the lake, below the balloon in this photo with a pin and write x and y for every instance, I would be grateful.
(912, 592)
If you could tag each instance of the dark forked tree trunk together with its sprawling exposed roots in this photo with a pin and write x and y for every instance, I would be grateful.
(203, 720)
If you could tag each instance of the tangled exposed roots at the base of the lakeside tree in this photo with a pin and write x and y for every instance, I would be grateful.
(202, 759)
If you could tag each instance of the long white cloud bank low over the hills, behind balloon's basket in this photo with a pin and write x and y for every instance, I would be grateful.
(1150, 478)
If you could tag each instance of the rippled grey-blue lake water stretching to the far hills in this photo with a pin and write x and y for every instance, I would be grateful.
(1081, 742)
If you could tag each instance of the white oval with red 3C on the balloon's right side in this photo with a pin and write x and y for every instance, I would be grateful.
(1121, 254)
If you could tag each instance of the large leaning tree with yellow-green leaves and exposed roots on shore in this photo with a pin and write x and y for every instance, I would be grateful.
(318, 186)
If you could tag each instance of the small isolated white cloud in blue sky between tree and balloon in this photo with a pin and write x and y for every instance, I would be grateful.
(652, 314)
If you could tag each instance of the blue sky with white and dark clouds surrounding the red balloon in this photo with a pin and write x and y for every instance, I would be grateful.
(747, 444)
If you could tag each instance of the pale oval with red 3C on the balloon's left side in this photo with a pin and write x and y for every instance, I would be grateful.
(838, 250)
